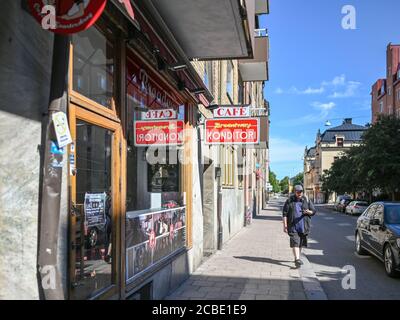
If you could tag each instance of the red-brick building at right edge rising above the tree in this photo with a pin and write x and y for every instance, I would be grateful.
(386, 92)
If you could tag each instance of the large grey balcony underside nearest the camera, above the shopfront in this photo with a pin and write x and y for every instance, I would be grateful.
(209, 29)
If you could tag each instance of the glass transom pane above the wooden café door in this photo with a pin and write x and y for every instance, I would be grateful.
(93, 66)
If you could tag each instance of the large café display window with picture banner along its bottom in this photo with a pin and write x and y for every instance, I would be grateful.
(156, 213)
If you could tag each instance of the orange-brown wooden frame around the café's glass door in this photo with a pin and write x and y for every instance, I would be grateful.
(77, 112)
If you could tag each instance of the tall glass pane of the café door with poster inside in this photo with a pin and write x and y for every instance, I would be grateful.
(92, 235)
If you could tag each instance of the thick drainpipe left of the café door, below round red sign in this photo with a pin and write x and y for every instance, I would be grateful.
(49, 277)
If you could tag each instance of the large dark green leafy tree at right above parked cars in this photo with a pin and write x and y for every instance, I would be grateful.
(373, 165)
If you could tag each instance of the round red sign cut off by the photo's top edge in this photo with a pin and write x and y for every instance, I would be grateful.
(67, 16)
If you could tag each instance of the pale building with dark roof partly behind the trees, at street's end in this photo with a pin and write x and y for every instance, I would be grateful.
(330, 146)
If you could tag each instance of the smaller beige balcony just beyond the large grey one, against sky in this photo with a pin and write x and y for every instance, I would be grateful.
(256, 69)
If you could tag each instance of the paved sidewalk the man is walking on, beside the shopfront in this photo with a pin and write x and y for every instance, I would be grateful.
(257, 264)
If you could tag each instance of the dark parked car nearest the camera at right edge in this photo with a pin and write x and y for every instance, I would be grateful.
(378, 233)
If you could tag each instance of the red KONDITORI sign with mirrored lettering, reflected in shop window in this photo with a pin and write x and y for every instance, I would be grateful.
(158, 133)
